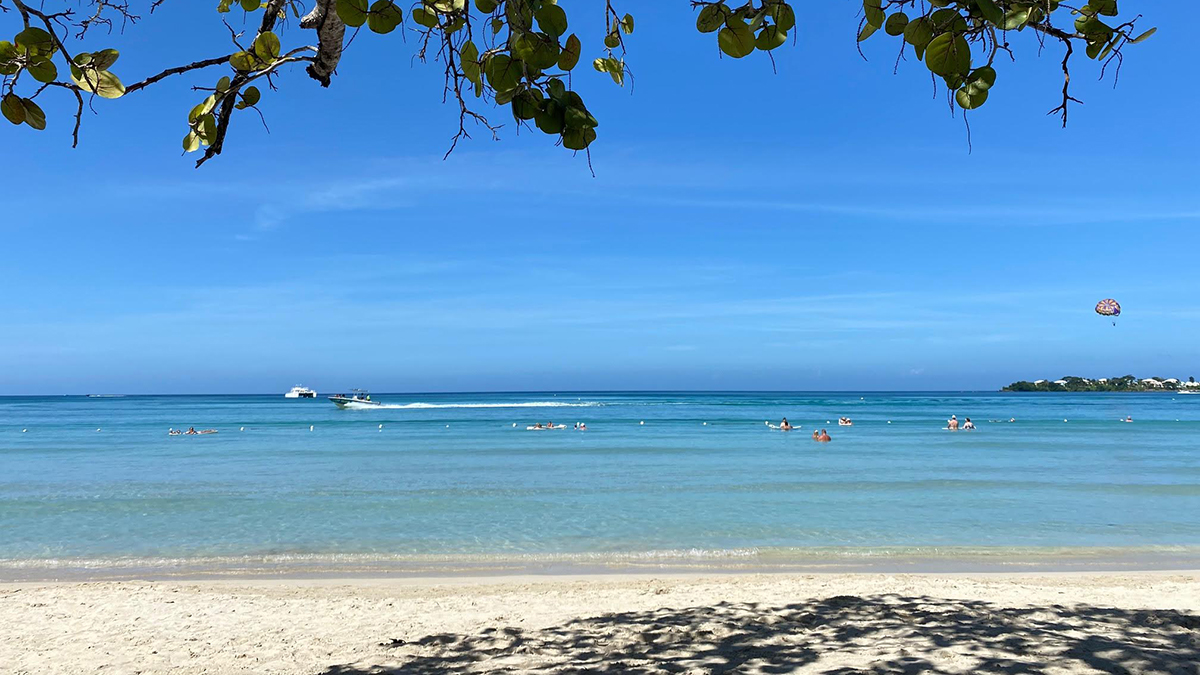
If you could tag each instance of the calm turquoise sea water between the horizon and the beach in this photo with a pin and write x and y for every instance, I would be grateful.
(93, 482)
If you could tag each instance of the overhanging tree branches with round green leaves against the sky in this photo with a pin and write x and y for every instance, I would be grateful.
(515, 55)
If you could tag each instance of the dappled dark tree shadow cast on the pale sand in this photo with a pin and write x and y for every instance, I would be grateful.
(839, 636)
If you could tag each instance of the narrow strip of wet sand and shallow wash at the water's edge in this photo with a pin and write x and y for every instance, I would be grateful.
(897, 560)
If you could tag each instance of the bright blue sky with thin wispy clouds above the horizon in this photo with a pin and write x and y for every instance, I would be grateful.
(823, 224)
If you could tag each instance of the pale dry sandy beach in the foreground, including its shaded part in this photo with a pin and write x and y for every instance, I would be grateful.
(1070, 623)
